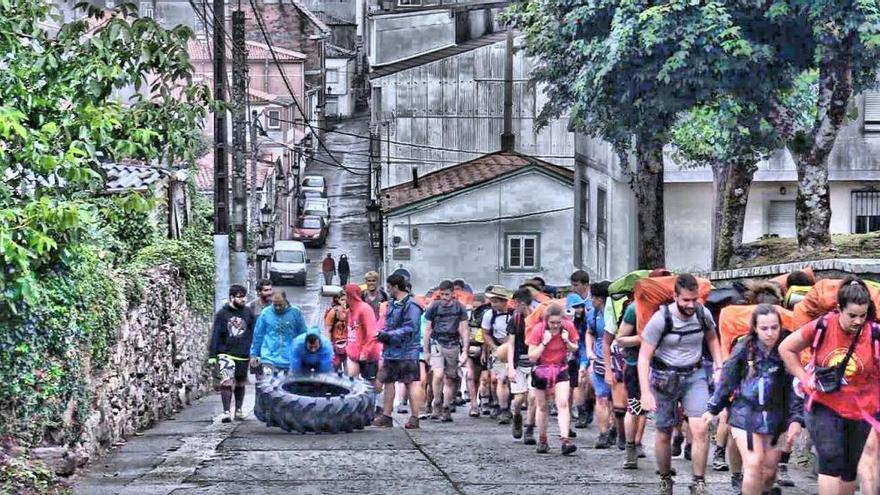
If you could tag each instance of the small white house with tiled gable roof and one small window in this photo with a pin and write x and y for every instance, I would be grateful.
(498, 219)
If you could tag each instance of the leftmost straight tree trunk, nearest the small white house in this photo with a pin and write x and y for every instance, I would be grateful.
(648, 187)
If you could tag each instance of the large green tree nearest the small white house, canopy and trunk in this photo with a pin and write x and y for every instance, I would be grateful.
(626, 69)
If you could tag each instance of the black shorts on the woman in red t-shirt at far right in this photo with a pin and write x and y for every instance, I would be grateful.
(839, 441)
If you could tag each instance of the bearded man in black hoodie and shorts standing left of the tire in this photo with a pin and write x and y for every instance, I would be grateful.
(230, 343)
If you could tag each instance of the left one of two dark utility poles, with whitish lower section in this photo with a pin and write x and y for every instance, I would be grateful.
(221, 172)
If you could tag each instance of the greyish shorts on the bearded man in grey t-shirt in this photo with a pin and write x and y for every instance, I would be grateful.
(671, 387)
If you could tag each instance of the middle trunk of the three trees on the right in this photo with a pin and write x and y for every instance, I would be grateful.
(733, 181)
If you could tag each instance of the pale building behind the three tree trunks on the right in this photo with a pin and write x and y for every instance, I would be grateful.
(605, 218)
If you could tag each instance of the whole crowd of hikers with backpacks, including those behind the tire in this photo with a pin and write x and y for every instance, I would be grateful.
(616, 354)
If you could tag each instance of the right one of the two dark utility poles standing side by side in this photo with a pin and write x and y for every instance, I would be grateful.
(239, 150)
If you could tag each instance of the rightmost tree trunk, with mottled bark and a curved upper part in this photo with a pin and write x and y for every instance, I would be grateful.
(814, 199)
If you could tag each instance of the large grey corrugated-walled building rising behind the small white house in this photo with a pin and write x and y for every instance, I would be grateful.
(447, 106)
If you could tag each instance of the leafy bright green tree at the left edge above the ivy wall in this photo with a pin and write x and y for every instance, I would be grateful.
(62, 112)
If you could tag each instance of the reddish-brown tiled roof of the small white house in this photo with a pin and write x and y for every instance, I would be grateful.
(464, 176)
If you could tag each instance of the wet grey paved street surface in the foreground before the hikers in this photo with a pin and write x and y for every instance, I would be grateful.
(192, 454)
